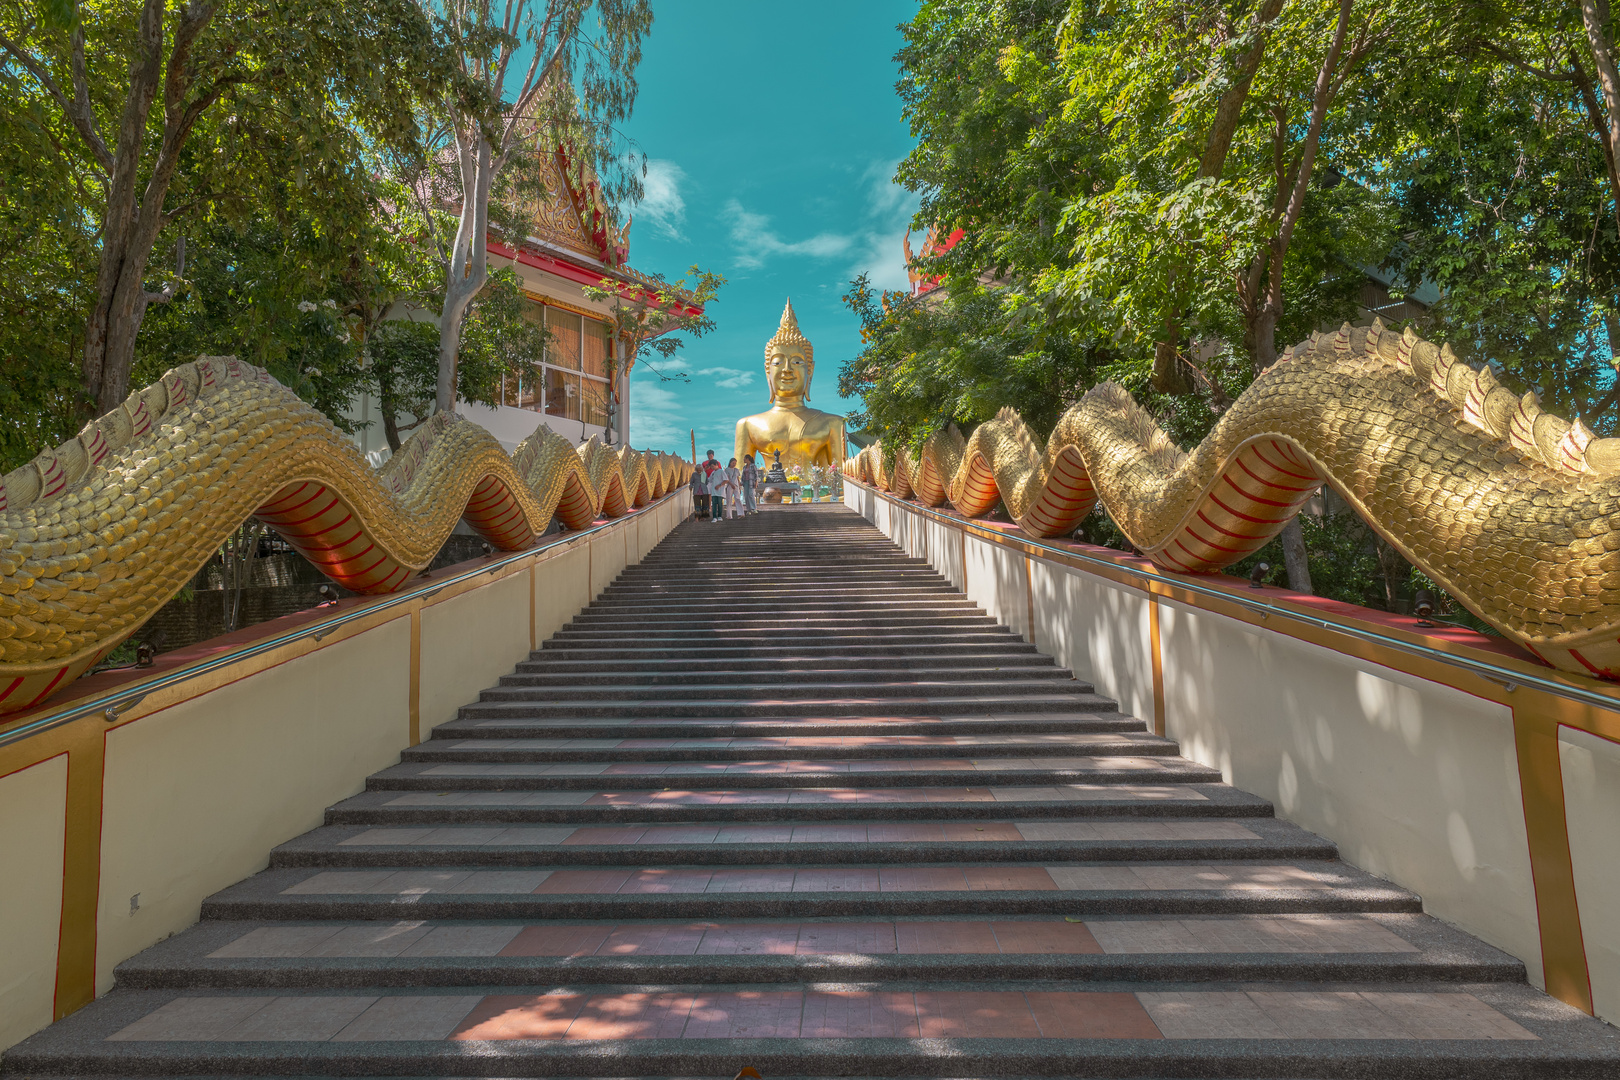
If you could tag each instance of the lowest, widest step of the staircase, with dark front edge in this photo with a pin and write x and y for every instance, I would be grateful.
(1174, 1029)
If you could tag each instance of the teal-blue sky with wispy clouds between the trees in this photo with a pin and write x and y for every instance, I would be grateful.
(774, 132)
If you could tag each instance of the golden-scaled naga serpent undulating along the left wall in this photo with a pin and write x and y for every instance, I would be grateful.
(101, 532)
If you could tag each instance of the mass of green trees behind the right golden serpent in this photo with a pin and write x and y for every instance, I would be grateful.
(1167, 193)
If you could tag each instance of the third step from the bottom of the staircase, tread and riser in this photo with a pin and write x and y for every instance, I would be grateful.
(801, 891)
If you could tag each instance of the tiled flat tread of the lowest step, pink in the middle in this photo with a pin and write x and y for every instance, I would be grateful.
(1409, 1016)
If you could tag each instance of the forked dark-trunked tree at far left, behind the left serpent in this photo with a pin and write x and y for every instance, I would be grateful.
(169, 106)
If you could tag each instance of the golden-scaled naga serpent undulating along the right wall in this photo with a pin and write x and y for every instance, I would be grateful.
(1512, 511)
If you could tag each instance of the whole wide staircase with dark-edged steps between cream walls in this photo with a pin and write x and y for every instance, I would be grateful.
(782, 797)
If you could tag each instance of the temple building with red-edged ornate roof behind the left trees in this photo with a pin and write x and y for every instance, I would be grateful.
(574, 244)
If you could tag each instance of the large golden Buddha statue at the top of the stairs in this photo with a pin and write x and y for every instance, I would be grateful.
(801, 433)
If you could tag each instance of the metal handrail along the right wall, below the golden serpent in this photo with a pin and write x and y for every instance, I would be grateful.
(1509, 678)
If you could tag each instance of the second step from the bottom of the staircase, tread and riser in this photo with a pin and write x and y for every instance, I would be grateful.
(430, 955)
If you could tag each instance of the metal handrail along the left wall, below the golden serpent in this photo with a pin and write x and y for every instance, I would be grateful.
(119, 702)
